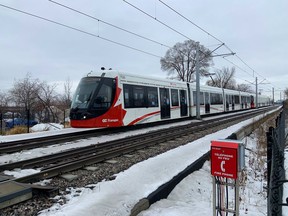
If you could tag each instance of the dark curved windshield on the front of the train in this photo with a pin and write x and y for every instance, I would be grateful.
(93, 97)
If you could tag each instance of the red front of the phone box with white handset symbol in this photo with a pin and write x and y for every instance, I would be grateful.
(224, 159)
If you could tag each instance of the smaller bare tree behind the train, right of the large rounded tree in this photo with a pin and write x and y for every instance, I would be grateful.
(223, 78)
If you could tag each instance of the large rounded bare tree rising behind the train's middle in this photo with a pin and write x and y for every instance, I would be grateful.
(181, 60)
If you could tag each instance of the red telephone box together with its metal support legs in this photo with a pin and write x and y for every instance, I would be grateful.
(227, 160)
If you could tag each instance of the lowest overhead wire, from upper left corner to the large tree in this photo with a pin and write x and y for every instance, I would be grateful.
(79, 30)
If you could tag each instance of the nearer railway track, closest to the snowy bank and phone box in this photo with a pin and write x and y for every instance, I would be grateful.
(53, 165)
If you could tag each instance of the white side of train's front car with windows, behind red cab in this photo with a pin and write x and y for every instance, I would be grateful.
(149, 100)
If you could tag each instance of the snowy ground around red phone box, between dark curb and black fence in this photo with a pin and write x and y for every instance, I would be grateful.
(193, 196)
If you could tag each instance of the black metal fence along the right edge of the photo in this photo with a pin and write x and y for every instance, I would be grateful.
(275, 166)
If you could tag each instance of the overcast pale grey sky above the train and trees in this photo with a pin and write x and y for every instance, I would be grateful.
(257, 31)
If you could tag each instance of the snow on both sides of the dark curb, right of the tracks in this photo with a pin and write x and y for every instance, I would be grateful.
(119, 196)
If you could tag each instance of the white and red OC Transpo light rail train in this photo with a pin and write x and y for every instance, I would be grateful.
(114, 99)
